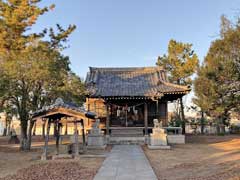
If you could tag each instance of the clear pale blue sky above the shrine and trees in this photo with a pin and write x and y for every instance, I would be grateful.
(135, 32)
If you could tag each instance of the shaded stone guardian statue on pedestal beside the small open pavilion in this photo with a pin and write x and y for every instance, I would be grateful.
(96, 138)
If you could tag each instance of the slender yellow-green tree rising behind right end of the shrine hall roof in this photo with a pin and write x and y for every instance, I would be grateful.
(180, 62)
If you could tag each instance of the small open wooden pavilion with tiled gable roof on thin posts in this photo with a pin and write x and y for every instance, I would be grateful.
(59, 114)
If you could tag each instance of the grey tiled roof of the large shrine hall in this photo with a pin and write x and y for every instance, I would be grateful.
(140, 81)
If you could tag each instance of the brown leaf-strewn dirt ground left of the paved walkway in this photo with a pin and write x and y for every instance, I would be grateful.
(16, 165)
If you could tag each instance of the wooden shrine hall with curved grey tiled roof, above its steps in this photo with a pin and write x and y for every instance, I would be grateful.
(130, 97)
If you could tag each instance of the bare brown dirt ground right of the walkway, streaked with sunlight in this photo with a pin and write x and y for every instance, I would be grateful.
(202, 158)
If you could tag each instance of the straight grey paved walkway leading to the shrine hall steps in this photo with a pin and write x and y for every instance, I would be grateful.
(126, 162)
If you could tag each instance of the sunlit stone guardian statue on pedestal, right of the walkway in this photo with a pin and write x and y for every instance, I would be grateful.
(158, 137)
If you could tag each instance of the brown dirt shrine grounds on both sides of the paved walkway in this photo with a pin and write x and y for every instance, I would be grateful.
(201, 158)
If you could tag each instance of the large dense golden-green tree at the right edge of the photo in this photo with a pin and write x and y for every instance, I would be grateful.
(217, 86)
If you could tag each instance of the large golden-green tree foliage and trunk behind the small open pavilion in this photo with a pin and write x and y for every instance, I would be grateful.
(33, 71)
